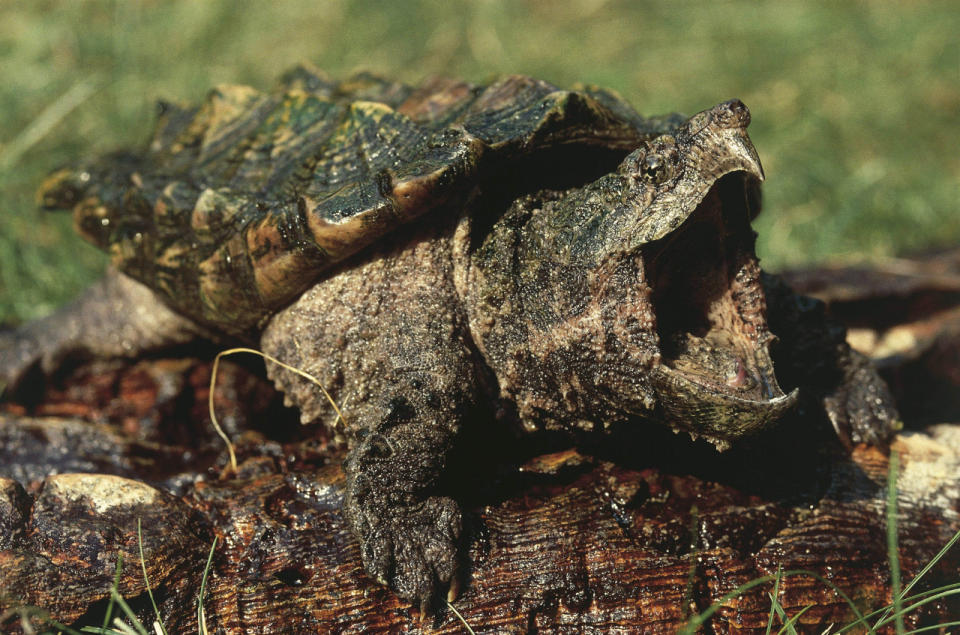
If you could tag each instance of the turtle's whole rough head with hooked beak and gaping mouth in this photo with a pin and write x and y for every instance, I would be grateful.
(639, 293)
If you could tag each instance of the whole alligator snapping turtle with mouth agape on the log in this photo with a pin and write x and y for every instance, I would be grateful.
(427, 252)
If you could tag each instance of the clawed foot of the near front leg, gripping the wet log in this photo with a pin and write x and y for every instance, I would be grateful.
(413, 549)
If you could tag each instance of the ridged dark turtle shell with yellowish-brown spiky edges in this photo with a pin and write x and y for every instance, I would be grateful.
(240, 204)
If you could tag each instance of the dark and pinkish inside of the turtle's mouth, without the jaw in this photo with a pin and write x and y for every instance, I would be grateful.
(707, 298)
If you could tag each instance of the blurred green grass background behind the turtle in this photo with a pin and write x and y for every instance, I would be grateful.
(856, 105)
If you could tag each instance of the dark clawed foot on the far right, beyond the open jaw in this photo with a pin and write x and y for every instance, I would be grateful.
(862, 409)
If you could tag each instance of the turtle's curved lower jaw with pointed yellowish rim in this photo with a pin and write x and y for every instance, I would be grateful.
(717, 415)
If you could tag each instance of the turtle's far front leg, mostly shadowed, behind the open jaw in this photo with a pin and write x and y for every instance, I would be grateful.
(813, 353)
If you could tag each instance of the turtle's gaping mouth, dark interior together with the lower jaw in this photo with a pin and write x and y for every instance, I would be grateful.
(715, 377)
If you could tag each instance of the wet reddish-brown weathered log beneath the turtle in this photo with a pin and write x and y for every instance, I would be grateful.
(632, 535)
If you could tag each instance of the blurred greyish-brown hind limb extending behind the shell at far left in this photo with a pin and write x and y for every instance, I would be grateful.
(116, 317)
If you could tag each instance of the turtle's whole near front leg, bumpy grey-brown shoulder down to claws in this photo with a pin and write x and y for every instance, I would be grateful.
(388, 339)
